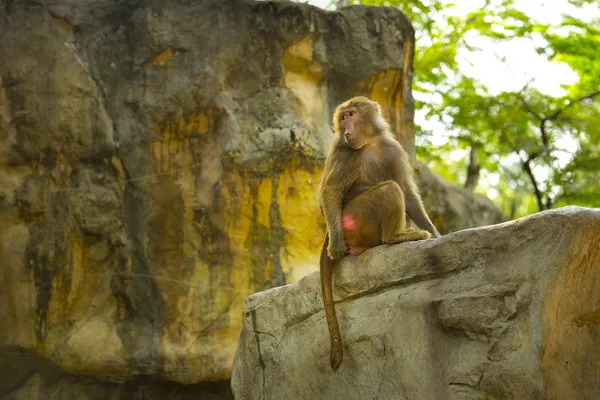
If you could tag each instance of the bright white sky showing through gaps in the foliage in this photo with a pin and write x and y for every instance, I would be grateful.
(522, 65)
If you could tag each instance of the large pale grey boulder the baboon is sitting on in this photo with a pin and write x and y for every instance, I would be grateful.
(508, 311)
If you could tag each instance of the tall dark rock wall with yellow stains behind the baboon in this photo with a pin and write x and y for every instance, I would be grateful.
(158, 164)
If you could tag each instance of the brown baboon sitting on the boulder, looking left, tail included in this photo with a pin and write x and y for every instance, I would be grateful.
(366, 189)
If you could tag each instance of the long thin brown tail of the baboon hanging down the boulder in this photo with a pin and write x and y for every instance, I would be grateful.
(326, 266)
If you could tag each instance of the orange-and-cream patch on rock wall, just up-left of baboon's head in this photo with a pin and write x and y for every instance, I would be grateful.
(303, 75)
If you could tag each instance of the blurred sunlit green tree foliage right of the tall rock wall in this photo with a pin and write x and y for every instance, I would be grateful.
(545, 149)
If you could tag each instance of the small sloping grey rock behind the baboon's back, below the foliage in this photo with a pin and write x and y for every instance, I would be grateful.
(452, 208)
